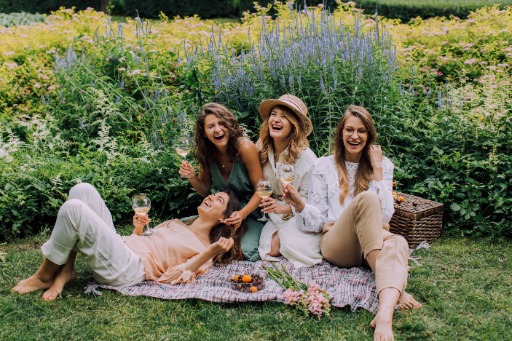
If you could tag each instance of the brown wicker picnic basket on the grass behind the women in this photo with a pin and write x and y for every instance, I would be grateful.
(417, 219)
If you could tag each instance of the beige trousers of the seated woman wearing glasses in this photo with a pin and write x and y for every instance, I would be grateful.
(357, 232)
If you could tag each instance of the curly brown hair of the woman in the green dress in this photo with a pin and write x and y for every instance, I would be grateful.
(205, 149)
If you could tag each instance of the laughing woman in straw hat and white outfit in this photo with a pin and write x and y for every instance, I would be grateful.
(283, 141)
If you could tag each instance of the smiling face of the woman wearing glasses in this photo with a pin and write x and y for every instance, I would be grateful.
(355, 136)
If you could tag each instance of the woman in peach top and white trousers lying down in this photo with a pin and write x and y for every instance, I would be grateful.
(175, 253)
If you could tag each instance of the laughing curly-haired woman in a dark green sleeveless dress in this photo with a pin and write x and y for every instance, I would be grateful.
(227, 160)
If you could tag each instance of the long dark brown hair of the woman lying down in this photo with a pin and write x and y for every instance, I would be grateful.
(228, 231)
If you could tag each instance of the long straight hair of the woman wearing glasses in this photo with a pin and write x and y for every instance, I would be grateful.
(364, 171)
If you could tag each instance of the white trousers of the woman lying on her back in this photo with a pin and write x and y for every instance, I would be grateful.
(84, 224)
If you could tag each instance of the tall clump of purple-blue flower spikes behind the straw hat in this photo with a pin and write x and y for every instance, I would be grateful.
(327, 64)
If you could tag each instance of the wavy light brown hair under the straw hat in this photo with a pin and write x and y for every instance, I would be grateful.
(298, 139)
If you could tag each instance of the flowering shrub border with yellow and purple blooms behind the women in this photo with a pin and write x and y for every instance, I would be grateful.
(105, 106)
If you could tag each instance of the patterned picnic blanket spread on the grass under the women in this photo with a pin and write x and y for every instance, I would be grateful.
(353, 287)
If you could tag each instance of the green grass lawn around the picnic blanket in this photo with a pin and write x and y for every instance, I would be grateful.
(465, 287)
